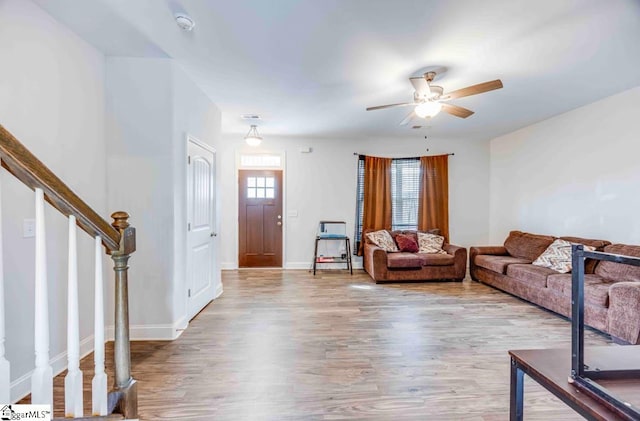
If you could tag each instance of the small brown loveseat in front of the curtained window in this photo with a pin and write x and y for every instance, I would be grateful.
(402, 267)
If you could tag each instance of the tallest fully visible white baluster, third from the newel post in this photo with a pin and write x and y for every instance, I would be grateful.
(42, 378)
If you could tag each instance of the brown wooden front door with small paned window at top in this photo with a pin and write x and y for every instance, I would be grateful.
(260, 218)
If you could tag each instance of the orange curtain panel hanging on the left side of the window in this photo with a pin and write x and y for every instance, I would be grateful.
(376, 211)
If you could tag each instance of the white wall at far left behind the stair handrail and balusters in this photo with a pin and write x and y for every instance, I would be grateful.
(51, 99)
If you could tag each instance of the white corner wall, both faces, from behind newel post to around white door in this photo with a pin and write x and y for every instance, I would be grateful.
(151, 106)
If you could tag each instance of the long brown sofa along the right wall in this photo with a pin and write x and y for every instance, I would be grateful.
(612, 290)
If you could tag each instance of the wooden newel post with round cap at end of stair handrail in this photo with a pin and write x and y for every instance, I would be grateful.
(125, 385)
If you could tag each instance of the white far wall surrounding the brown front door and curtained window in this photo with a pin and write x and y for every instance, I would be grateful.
(322, 185)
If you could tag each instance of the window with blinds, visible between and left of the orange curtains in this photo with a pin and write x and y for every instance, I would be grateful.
(405, 193)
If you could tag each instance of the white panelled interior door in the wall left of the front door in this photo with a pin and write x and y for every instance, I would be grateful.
(201, 226)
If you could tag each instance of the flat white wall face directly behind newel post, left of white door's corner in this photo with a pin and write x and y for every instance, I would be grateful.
(139, 150)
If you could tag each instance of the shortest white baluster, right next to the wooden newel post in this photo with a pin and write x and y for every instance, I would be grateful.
(99, 382)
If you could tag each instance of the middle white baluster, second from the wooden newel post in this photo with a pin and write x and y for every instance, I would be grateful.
(73, 380)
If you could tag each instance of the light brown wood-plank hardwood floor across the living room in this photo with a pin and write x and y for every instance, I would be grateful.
(285, 345)
